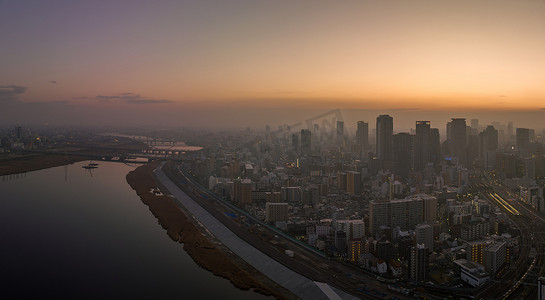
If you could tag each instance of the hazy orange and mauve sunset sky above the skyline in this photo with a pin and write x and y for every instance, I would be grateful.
(251, 63)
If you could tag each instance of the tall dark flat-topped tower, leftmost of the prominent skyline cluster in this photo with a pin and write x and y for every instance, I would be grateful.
(384, 136)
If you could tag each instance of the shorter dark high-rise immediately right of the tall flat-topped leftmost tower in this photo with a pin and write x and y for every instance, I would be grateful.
(402, 149)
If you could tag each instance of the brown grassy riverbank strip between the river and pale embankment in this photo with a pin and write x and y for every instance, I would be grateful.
(200, 247)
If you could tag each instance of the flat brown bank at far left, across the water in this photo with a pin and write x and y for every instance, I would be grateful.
(16, 164)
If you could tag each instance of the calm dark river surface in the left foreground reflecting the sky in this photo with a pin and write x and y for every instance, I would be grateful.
(66, 232)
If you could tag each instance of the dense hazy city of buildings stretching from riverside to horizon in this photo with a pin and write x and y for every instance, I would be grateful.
(451, 211)
